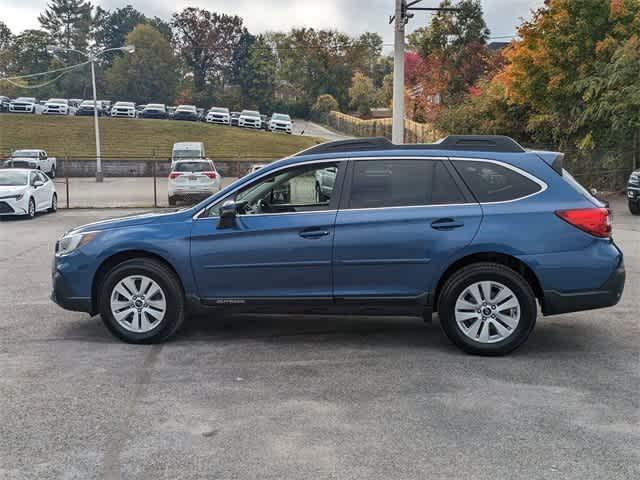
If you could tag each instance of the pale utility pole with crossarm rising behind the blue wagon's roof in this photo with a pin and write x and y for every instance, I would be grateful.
(400, 19)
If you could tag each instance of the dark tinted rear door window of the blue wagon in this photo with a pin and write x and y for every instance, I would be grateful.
(401, 183)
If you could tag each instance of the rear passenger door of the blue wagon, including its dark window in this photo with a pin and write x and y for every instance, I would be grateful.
(400, 221)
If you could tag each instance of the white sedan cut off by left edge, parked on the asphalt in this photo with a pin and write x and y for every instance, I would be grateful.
(25, 192)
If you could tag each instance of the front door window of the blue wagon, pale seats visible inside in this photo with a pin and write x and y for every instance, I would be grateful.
(305, 188)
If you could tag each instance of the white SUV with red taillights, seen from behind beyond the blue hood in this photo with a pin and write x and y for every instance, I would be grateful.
(193, 180)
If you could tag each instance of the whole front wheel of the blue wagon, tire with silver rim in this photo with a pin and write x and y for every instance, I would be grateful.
(141, 301)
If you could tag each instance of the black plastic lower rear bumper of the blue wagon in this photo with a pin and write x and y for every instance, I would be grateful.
(608, 295)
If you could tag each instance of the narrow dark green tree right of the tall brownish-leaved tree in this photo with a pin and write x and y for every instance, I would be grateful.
(257, 78)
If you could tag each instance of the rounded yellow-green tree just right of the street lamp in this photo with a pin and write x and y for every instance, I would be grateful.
(151, 72)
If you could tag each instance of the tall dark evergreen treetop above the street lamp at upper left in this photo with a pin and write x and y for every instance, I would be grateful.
(68, 22)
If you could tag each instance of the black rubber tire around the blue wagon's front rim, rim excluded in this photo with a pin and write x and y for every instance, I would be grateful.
(173, 294)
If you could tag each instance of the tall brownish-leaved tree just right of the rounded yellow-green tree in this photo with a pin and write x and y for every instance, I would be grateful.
(207, 42)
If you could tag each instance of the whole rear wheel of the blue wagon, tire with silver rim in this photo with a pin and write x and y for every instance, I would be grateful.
(493, 337)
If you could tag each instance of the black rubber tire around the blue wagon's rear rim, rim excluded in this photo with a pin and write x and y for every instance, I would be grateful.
(487, 272)
